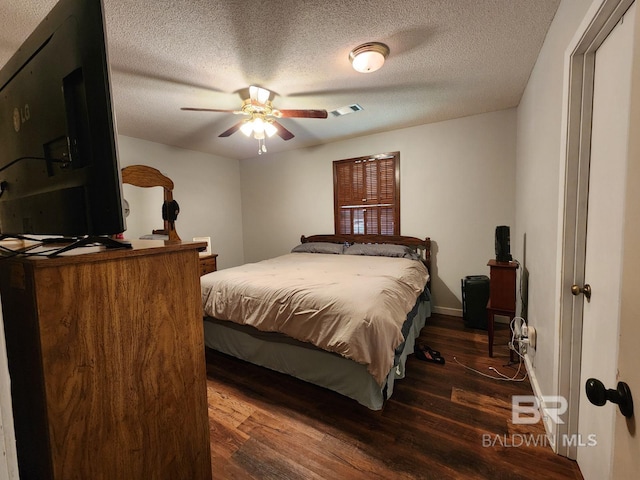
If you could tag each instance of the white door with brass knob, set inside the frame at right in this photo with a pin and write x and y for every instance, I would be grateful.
(604, 244)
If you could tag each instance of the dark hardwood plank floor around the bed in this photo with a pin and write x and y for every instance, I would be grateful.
(443, 421)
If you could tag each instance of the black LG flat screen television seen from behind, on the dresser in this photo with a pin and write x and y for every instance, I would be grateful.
(59, 169)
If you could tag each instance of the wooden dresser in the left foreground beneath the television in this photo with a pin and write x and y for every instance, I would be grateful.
(106, 359)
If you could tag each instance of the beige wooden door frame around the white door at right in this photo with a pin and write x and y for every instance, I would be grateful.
(578, 94)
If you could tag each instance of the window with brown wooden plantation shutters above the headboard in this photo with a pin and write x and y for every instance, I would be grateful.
(366, 193)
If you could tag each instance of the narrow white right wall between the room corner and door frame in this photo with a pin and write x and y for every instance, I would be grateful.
(534, 242)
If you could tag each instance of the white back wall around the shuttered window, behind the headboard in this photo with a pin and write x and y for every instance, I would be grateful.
(457, 184)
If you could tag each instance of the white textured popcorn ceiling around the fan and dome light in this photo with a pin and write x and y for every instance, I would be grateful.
(449, 59)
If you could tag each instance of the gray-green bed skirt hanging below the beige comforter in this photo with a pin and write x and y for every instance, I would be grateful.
(314, 365)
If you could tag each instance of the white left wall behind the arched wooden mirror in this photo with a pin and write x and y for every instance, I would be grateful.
(206, 187)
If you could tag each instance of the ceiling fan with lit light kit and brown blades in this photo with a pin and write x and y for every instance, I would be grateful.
(261, 121)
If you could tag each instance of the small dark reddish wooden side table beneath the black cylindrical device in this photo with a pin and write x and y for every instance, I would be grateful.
(502, 294)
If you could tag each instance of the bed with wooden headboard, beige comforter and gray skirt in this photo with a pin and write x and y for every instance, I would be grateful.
(339, 311)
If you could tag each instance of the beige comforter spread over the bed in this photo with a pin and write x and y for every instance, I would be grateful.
(349, 304)
